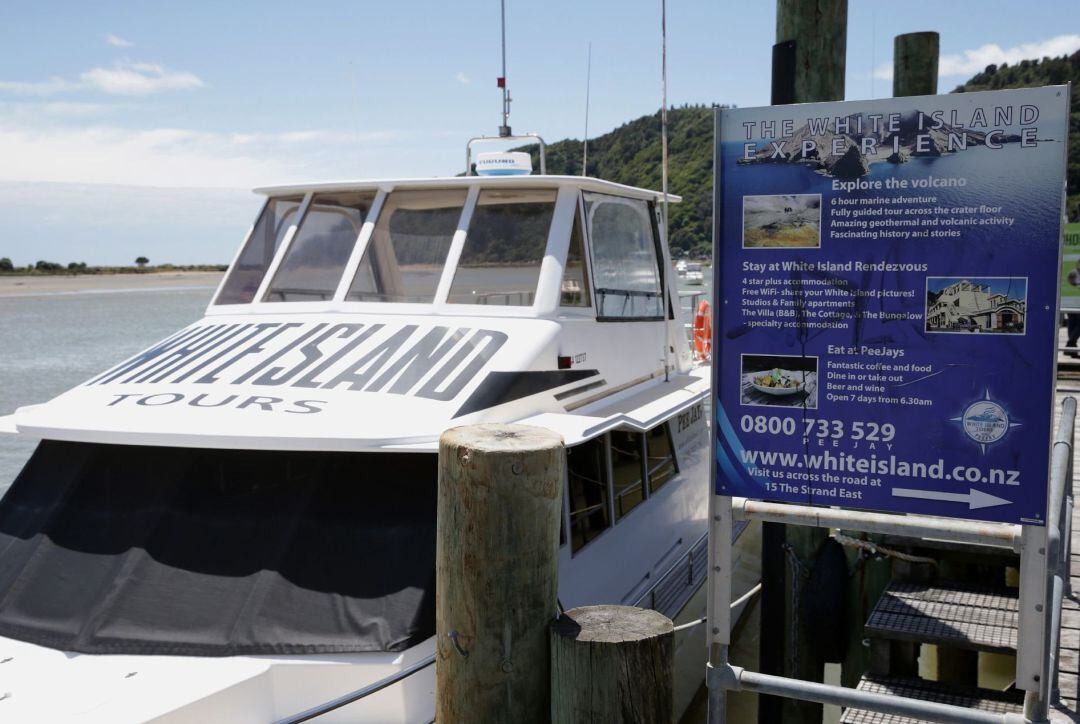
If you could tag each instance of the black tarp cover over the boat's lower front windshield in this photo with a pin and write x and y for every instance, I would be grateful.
(119, 549)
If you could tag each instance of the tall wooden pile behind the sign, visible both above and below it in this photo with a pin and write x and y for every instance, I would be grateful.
(809, 63)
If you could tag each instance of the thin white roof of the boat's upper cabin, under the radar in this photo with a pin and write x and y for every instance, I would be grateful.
(584, 183)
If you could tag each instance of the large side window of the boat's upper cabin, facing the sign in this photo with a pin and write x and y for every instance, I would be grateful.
(626, 263)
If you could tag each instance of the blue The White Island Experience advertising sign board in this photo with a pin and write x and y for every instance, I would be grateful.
(887, 276)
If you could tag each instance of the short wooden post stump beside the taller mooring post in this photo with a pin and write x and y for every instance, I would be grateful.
(613, 664)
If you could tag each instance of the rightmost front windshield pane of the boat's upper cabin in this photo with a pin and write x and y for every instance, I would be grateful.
(505, 247)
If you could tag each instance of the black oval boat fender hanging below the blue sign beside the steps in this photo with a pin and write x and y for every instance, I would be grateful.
(826, 604)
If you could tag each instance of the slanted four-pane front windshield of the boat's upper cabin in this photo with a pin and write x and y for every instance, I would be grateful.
(406, 257)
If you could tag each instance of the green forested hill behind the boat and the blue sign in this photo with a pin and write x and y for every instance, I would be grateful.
(631, 154)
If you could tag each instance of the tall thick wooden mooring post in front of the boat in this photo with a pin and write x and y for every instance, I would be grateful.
(497, 572)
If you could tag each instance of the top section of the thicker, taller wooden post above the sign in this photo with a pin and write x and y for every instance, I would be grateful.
(820, 32)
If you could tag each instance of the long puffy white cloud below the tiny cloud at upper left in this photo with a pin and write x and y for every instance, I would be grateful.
(124, 78)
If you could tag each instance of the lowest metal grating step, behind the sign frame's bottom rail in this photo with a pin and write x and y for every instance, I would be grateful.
(1001, 703)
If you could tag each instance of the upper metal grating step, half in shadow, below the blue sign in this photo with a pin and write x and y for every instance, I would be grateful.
(956, 615)
